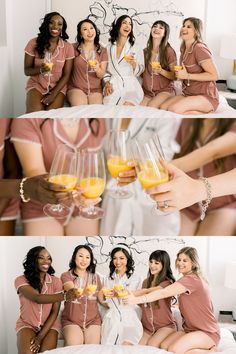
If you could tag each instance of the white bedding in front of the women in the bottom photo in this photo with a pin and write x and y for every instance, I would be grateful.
(227, 346)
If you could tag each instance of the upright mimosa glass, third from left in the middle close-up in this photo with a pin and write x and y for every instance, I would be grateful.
(119, 155)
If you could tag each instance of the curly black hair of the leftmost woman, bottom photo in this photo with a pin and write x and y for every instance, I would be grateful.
(31, 271)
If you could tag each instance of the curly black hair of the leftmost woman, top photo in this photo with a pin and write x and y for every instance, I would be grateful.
(44, 34)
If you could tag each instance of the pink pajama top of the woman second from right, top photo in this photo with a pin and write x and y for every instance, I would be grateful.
(154, 84)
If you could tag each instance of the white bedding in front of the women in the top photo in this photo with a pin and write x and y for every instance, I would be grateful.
(102, 111)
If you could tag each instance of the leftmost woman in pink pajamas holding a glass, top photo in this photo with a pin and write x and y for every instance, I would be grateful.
(48, 62)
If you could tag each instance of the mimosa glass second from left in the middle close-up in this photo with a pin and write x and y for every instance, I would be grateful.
(92, 177)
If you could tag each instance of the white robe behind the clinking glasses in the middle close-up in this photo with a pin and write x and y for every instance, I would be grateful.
(136, 215)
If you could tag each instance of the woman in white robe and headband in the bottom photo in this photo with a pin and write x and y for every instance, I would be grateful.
(121, 324)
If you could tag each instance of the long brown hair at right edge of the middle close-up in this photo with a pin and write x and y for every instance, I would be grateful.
(222, 125)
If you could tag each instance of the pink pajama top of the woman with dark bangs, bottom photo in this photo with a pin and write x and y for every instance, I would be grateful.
(158, 316)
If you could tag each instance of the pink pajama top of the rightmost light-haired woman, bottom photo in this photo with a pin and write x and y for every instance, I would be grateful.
(196, 307)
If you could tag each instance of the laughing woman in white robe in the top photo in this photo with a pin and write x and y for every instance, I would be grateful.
(125, 65)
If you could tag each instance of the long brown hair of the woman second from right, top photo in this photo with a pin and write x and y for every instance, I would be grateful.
(163, 45)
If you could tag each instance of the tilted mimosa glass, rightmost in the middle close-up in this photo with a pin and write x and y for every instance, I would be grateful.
(149, 156)
